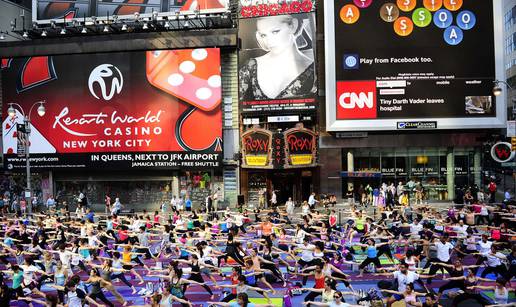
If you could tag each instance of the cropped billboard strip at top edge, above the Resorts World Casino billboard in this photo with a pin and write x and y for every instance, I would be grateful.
(46, 10)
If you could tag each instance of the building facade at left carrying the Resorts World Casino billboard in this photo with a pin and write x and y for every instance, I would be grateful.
(158, 121)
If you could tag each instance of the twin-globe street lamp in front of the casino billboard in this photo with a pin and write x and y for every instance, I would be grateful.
(26, 121)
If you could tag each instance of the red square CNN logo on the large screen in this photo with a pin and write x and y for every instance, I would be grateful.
(356, 99)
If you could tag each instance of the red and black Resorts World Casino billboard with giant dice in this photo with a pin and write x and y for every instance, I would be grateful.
(121, 110)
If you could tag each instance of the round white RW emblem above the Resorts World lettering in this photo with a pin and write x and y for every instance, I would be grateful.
(103, 75)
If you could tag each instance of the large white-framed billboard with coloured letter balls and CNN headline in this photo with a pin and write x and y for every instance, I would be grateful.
(413, 64)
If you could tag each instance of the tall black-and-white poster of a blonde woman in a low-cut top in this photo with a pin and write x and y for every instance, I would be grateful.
(268, 44)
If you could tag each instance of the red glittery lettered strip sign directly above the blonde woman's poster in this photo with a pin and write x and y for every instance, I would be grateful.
(257, 8)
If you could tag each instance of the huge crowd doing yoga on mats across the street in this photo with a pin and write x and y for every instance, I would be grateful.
(415, 252)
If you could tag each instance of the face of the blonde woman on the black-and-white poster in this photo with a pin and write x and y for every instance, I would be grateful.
(275, 33)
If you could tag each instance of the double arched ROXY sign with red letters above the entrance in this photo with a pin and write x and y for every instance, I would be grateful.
(293, 148)
